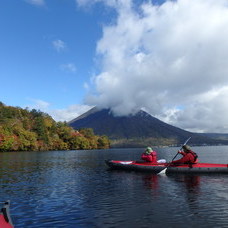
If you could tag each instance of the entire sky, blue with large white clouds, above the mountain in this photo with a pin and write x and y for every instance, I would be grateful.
(169, 58)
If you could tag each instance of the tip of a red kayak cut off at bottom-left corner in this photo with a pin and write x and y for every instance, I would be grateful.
(5, 219)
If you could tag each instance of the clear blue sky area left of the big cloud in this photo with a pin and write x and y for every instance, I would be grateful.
(47, 51)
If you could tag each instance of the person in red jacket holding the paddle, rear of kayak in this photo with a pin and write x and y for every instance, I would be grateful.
(189, 157)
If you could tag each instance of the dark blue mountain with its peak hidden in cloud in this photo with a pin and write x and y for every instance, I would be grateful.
(137, 130)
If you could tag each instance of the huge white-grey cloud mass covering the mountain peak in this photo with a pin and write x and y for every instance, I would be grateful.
(165, 57)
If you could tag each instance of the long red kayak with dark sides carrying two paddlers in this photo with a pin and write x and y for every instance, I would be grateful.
(158, 167)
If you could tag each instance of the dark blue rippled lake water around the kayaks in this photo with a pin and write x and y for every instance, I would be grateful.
(76, 189)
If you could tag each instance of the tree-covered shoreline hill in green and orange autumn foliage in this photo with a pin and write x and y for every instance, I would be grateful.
(33, 130)
